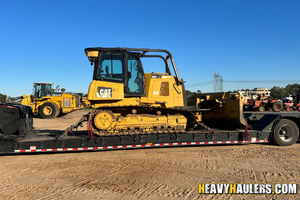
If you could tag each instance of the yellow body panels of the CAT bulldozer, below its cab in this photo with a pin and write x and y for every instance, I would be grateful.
(161, 90)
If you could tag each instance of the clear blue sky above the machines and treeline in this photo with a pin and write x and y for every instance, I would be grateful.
(243, 40)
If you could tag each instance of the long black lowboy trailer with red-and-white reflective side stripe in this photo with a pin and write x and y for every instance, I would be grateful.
(17, 134)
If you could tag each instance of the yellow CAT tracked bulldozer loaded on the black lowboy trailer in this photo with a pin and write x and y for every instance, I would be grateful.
(129, 101)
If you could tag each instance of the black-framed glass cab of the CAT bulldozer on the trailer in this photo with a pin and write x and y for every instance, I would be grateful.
(121, 67)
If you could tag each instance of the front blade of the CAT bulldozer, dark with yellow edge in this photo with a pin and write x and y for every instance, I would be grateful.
(225, 111)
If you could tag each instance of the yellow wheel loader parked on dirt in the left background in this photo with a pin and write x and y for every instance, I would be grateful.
(48, 102)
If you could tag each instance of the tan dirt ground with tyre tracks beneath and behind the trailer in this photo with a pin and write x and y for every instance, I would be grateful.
(152, 173)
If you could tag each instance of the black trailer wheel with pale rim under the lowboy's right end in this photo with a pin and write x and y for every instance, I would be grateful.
(286, 133)
